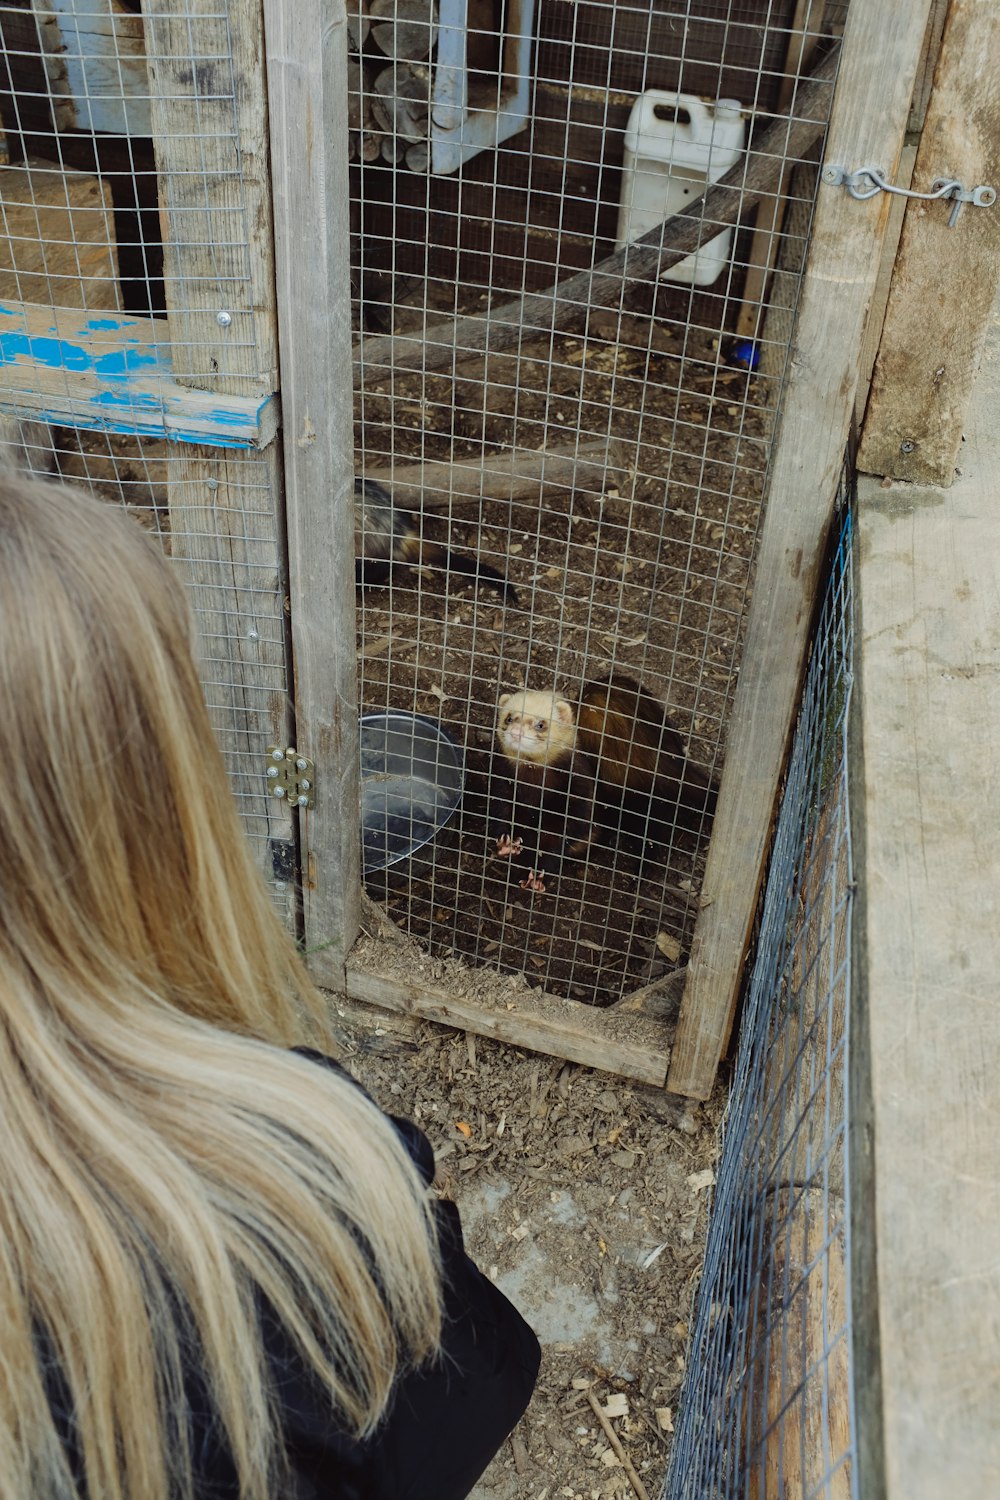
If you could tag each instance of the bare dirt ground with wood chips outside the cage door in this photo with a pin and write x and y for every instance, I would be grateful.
(585, 1198)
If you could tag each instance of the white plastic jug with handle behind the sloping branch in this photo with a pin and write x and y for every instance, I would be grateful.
(675, 145)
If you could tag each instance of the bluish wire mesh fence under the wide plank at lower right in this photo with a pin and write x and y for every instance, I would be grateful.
(768, 1403)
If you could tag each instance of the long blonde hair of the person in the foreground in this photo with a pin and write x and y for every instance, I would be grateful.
(164, 1159)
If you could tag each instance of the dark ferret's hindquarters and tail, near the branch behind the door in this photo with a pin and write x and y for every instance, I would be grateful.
(388, 538)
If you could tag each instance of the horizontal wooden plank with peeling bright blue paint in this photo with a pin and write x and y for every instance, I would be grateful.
(112, 373)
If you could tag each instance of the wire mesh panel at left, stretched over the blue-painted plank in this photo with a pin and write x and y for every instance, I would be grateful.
(137, 356)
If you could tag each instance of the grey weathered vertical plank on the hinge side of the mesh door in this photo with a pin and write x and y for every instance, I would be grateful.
(307, 79)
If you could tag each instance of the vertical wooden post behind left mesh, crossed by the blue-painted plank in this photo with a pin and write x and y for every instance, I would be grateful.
(226, 508)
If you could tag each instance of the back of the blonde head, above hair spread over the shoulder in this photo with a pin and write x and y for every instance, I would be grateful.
(122, 859)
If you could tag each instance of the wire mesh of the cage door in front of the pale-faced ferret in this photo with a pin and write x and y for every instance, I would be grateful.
(602, 445)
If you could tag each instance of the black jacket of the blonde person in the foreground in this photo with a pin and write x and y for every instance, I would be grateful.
(446, 1420)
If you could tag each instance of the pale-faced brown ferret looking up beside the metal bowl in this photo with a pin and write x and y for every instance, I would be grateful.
(615, 766)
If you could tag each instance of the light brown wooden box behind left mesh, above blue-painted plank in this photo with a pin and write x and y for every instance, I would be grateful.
(58, 242)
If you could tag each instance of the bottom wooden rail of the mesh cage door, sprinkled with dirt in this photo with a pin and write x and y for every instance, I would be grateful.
(630, 1046)
